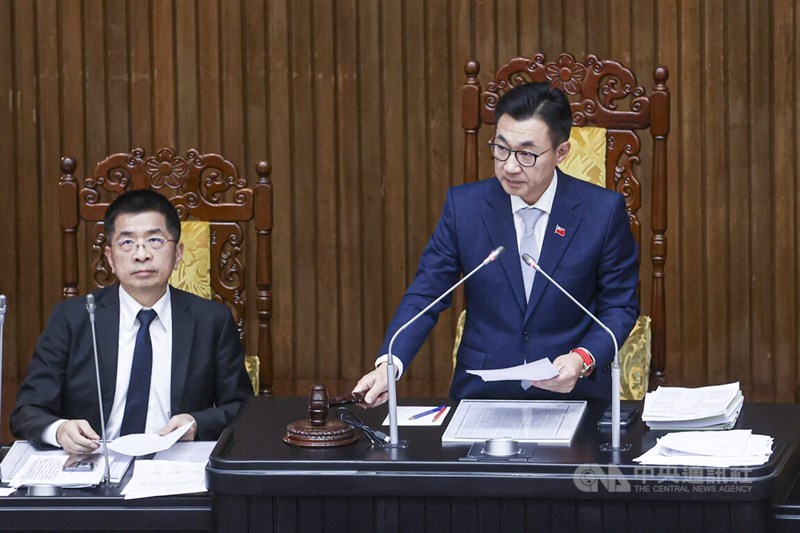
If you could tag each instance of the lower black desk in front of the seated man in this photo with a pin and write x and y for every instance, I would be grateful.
(104, 509)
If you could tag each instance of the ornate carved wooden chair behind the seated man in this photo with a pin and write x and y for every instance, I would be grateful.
(213, 202)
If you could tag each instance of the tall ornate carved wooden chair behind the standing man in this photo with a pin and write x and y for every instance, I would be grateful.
(609, 113)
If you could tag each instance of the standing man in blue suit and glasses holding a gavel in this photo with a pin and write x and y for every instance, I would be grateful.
(578, 232)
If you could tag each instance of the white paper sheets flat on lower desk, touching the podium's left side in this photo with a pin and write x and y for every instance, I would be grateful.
(162, 478)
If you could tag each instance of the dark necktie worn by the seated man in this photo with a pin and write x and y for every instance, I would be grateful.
(139, 386)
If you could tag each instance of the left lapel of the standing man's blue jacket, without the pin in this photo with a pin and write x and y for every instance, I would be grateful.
(499, 222)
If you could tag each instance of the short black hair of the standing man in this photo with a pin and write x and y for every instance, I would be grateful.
(539, 100)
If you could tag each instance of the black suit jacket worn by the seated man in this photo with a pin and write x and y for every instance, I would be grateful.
(209, 380)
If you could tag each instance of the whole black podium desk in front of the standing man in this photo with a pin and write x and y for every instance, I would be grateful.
(261, 484)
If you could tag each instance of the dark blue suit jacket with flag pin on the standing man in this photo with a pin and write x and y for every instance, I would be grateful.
(596, 260)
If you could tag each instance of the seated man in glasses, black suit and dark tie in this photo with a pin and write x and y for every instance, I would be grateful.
(167, 357)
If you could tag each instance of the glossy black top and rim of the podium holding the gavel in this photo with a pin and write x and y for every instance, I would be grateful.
(251, 459)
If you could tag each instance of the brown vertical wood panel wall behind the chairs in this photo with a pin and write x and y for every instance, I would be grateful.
(356, 105)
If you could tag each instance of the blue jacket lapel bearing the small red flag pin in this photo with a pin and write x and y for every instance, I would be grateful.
(561, 227)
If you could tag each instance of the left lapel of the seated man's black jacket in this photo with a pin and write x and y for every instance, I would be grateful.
(107, 327)
